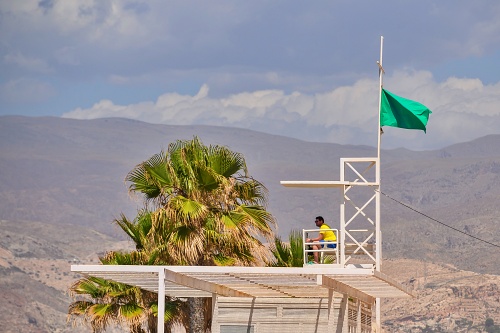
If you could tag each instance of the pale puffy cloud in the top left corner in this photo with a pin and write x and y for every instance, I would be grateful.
(112, 23)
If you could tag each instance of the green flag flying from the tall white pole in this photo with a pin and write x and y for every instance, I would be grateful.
(400, 112)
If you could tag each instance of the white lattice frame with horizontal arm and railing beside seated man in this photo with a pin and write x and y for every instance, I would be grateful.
(359, 235)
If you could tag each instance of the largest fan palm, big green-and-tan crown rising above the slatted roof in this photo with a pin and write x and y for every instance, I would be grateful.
(205, 209)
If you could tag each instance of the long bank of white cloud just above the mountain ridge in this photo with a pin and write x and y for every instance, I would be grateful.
(463, 109)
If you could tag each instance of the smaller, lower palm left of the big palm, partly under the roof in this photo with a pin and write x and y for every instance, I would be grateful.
(100, 302)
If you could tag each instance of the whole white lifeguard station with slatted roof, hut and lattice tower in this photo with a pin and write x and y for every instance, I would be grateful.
(339, 295)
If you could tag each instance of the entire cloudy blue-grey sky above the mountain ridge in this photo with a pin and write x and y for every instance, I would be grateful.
(303, 69)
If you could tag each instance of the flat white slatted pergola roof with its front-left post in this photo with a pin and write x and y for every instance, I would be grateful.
(312, 281)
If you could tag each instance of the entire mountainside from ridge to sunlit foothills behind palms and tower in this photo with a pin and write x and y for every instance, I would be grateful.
(61, 186)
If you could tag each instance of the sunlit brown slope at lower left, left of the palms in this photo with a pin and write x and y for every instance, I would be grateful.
(35, 274)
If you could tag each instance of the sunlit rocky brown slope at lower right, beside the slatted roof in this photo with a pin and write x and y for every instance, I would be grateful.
(448, 299)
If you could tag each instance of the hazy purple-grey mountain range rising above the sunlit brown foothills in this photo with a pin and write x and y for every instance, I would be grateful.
(439, 206)
